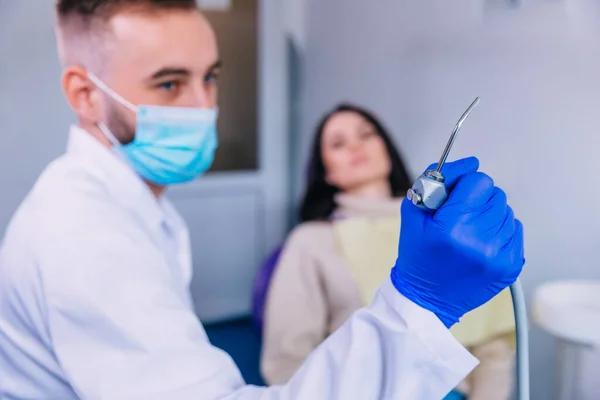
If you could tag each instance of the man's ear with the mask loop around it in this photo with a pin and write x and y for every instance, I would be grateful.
(84, 98)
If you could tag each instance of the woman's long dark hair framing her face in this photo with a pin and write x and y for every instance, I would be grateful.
(319, 202)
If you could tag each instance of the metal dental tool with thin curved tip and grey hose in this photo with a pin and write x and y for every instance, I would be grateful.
(429, 193)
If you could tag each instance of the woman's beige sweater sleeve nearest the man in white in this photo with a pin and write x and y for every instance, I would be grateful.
(296, 313)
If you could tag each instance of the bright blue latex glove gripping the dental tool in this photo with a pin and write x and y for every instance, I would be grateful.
(457, 258)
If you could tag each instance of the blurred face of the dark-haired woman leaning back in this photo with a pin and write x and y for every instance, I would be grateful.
(353, 153)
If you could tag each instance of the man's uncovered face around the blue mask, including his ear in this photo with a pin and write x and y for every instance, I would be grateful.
(151, 57)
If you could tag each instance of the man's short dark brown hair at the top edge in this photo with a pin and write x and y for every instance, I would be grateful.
(104, 9)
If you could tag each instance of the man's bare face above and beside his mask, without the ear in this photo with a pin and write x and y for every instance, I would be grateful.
(167, 58)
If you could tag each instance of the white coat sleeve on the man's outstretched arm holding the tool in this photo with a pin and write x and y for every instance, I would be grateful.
(121, 330)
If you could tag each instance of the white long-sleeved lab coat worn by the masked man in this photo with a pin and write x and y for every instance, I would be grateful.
(94, 305)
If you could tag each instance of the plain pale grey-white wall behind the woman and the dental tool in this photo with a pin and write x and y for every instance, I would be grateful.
(420, 63)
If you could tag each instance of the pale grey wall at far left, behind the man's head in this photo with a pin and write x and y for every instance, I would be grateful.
(34, 116)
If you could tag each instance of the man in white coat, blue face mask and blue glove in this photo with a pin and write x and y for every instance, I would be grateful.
(95, 265)
